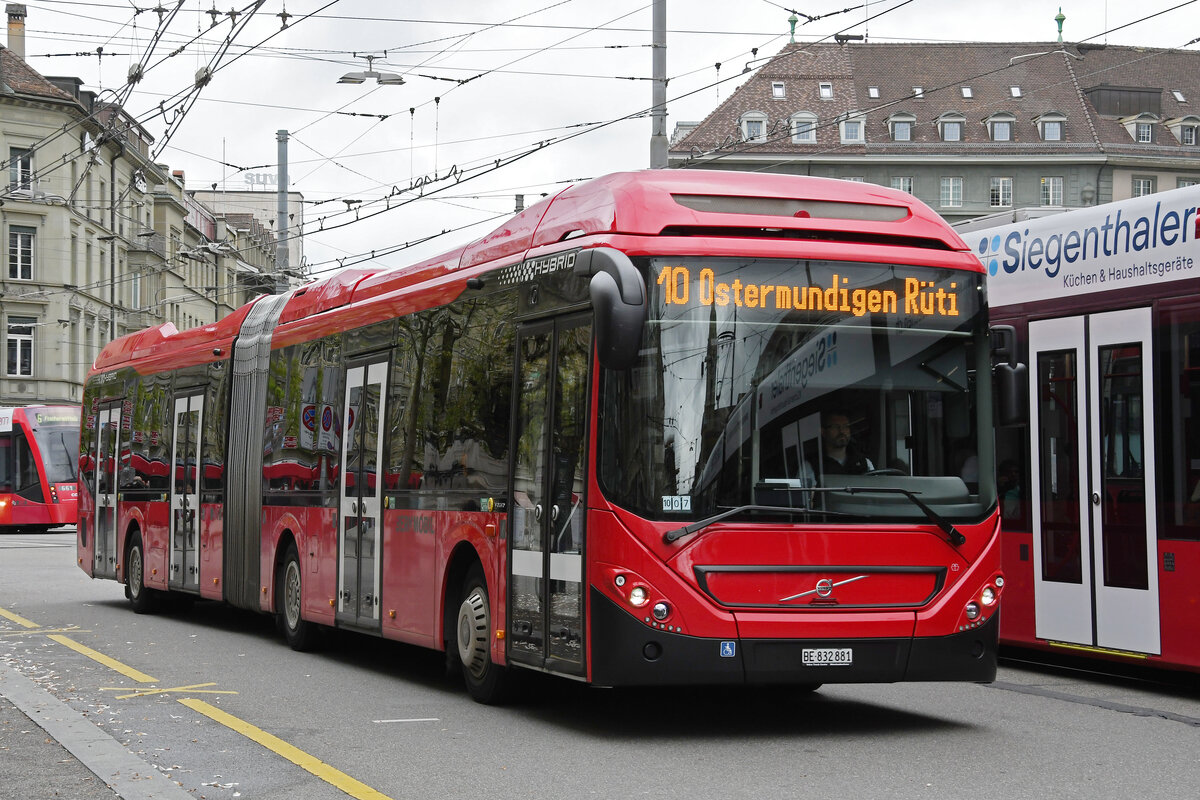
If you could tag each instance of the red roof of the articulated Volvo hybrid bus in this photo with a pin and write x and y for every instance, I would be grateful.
(647, 203)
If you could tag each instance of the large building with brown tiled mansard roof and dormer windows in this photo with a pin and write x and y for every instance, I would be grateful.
(970, 129)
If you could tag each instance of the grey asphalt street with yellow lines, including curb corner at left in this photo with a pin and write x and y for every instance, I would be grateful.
(209, 702)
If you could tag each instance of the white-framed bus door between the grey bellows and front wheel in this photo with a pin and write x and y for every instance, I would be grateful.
(362, 489)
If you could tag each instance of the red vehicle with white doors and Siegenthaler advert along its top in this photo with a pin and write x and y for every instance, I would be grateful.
(1101, 486)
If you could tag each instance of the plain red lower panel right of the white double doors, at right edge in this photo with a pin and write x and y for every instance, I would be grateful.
(1180, 601)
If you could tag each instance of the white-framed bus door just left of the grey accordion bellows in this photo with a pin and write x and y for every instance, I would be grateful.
(185, 492)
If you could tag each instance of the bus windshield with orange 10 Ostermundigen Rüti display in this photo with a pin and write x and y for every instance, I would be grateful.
(803, 384)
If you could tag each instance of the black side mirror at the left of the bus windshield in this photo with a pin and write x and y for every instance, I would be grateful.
(619, 299)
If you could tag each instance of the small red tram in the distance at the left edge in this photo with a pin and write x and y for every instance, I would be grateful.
(39, 447)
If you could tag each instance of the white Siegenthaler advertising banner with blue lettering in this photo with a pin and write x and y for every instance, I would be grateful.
(1117, 246)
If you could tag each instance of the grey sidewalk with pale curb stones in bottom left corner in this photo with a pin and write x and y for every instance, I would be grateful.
(50, 750)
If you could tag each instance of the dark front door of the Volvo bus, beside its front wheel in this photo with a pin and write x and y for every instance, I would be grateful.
(547, 575)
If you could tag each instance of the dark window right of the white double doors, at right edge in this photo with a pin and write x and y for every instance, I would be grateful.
(1180, 424)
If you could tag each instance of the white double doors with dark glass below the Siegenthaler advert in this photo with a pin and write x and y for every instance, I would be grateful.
(1095, 551)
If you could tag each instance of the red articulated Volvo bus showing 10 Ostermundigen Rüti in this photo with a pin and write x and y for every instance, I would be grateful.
(589, 444)
